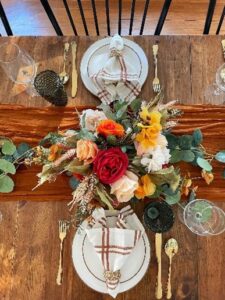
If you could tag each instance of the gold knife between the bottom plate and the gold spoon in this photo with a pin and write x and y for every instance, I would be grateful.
(158, 250)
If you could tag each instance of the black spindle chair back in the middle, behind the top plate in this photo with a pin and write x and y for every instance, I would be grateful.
(59, 32)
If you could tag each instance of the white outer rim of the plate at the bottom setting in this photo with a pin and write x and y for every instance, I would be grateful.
(84, 274)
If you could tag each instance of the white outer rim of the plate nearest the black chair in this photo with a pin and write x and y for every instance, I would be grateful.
(103, 42)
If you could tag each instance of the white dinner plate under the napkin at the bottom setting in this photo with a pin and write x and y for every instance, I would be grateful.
(90, 269)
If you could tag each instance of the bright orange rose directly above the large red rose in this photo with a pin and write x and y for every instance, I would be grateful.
(110, 127)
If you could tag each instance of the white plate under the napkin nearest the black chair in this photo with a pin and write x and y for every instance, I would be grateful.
(97, 54)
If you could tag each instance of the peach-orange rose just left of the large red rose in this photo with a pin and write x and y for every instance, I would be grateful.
(86, 151)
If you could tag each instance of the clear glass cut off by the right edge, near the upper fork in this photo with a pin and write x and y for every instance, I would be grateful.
(215, 93)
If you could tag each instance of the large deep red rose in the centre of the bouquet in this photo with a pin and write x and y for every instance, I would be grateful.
(110, 165)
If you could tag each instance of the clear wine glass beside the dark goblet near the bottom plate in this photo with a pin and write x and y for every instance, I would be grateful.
(203, 217)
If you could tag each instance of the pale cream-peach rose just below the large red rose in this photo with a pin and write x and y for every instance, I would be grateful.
(124, 187)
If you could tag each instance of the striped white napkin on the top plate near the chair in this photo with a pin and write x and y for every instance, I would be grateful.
(118, 79)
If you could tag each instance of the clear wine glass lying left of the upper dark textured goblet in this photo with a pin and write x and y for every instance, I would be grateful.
(18, 65)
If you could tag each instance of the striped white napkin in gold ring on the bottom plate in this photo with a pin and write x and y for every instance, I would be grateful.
(113, 245)
